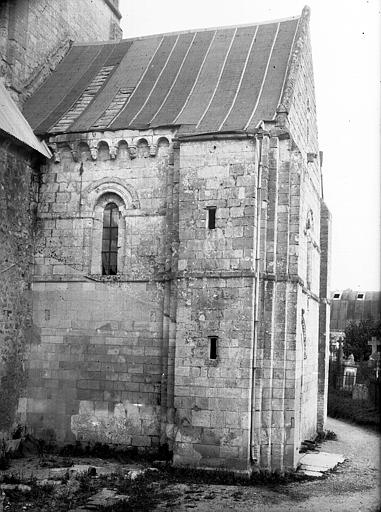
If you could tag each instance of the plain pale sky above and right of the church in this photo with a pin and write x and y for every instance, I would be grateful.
(346, 55)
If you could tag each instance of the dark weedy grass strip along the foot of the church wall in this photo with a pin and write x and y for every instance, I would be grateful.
(144, 493)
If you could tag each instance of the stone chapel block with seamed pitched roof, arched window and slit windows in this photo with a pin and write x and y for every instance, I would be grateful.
(179, 288)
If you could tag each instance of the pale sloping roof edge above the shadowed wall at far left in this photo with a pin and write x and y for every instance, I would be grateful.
(13, 123)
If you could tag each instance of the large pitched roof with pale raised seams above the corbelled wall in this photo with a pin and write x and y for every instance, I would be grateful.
(210, 80)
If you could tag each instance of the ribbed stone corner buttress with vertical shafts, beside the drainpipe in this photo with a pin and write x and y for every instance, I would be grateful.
(275, 423)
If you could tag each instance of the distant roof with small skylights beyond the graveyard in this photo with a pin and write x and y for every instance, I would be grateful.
(350, 305)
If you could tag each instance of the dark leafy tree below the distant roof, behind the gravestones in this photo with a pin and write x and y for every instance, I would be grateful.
(357, 335)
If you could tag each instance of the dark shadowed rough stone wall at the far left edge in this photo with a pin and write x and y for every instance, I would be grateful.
(18, 180)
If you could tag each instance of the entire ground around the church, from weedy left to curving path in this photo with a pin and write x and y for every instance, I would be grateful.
(353, 486)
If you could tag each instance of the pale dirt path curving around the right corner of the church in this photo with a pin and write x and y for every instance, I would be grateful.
(353, 487)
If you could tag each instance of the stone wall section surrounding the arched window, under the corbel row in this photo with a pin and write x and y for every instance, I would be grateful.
(95, 366)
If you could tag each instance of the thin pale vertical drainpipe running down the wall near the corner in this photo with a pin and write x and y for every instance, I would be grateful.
(258, 139)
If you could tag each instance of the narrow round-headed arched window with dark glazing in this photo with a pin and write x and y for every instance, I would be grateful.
(110, 240)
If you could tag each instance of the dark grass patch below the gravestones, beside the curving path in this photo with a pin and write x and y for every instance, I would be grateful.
(362, 412)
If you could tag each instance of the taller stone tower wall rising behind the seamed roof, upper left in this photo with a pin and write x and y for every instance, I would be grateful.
(35, 35)
